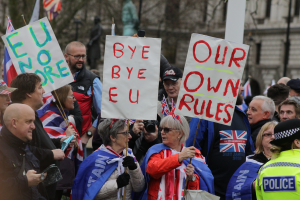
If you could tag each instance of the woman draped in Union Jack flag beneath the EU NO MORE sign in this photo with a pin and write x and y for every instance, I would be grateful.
(56, 127)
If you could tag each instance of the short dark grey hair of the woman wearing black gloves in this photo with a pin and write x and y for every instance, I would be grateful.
(105, 132)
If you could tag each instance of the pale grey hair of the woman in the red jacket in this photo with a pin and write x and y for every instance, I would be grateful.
(176, 124)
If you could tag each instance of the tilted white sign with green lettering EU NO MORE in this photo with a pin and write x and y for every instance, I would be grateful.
(34, 49)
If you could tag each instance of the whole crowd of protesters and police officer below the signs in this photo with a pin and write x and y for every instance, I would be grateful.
(256, 157)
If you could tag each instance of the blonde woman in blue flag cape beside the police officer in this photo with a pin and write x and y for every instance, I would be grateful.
(241, 185)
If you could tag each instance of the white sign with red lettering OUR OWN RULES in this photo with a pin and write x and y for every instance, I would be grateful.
(211, 79)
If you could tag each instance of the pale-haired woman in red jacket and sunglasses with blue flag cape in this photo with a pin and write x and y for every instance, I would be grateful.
(166, 166)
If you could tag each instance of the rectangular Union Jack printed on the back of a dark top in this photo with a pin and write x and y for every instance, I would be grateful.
(233, 140)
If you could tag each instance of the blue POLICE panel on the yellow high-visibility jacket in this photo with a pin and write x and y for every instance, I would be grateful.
(279, 183)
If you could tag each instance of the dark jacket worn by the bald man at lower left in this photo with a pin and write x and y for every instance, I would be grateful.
(13, 181)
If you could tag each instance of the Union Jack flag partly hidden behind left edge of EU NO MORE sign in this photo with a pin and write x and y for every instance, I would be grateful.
(9, 70)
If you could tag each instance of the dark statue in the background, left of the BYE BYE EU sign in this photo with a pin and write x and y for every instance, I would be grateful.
(93, 46)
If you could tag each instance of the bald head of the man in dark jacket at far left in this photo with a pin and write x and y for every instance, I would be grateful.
(19, 120)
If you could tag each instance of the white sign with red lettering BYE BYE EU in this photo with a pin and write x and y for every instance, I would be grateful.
(130, 77)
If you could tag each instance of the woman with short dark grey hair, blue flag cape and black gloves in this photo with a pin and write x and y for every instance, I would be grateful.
(102, 175)
